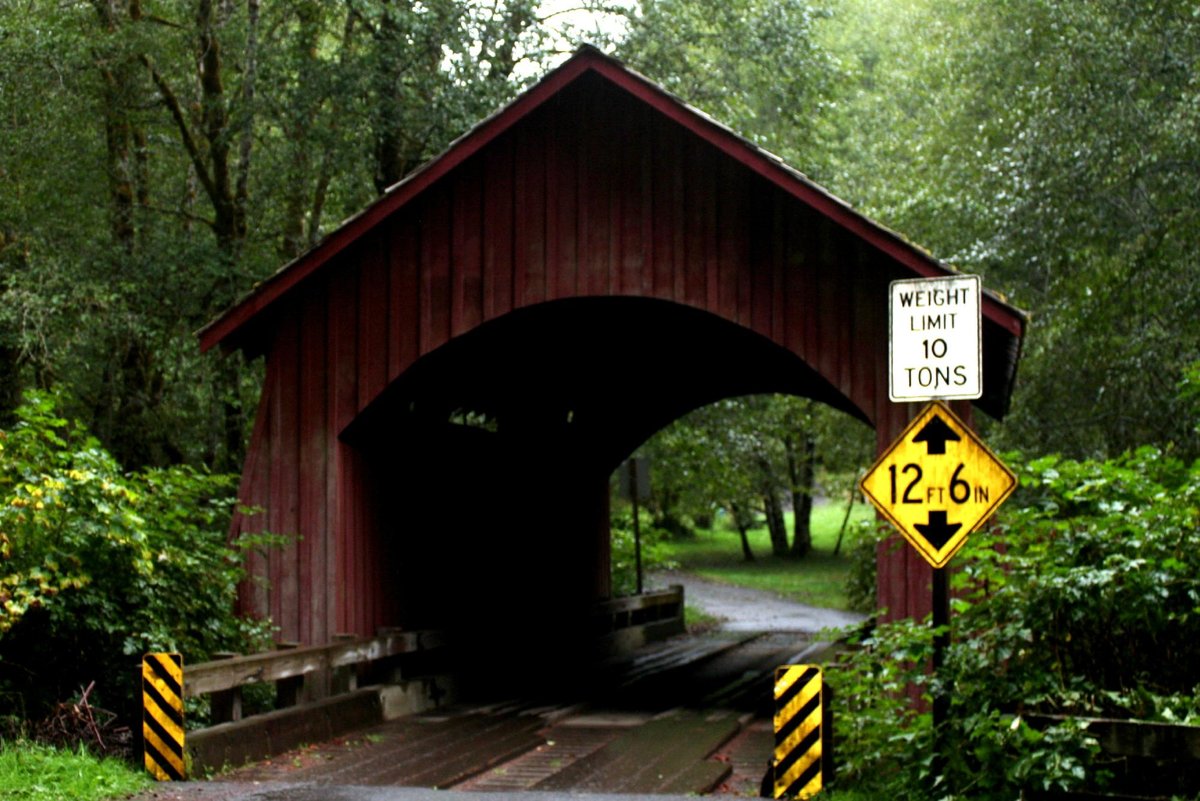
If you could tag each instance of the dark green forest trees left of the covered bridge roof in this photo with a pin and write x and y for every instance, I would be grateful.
(159, 159)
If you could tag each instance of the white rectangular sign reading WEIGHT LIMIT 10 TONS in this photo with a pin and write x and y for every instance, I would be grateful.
(935, 348)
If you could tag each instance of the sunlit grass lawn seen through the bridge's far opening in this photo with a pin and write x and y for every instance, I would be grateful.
(819, 580)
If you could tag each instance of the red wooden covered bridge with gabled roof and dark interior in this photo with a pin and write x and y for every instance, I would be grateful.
(454, 375)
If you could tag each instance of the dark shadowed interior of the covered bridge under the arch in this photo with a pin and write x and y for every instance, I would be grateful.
(491, 456)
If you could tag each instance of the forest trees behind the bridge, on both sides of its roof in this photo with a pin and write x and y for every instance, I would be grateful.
(158, 159)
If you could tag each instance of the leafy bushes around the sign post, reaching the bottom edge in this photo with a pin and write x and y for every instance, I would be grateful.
(1084, 601)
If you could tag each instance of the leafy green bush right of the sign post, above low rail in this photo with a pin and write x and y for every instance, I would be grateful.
(1094, 604)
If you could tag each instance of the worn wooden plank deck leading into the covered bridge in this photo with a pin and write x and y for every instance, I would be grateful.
(638, 736)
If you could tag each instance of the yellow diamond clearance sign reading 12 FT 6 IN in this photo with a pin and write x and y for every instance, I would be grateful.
(938, 484)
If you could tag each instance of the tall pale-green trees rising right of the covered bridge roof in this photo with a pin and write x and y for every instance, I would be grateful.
(1052, 148)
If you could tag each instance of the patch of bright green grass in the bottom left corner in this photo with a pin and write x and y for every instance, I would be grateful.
(35, 773)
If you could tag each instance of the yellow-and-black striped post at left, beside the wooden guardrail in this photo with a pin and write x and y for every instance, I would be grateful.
(163, 716)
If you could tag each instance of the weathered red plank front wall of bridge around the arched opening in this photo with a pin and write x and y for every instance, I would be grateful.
(591, 195)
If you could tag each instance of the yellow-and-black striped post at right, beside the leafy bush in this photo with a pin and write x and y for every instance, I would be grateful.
(799, 732)
